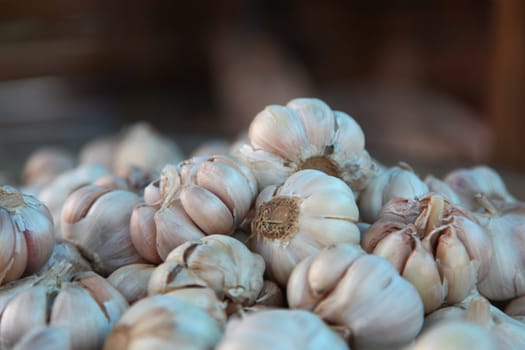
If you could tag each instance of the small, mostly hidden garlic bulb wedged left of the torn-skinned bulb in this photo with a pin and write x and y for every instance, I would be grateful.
(132, 280)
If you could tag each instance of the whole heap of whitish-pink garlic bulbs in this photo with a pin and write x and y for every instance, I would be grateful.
(293, 237)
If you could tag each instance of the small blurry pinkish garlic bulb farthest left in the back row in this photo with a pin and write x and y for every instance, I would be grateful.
(44, 164)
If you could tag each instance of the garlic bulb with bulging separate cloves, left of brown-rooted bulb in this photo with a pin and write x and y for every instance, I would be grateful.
(200, 196)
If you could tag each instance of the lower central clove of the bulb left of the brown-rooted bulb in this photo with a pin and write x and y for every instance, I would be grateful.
(206, 210)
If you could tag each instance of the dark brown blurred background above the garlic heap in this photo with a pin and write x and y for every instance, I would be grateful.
(439, 84)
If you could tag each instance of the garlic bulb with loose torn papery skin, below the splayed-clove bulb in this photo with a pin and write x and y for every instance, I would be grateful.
(219, 262)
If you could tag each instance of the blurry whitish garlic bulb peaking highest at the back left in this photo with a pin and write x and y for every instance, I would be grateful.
(143, 146)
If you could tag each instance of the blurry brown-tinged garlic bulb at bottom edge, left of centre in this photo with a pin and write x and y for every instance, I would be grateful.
(164, 322)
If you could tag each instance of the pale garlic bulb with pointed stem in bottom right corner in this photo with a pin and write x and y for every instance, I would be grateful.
(509, 333)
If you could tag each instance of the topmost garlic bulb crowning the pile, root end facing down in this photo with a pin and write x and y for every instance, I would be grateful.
(306, 134)
